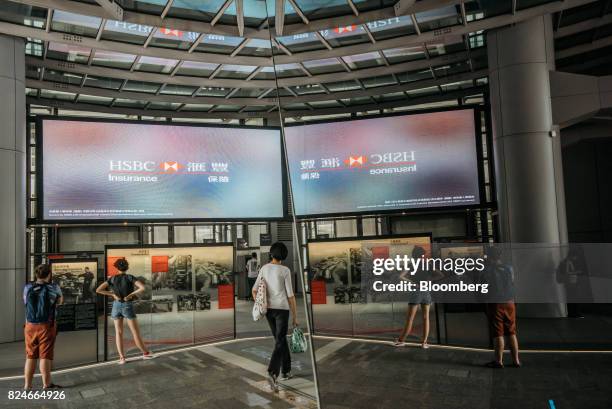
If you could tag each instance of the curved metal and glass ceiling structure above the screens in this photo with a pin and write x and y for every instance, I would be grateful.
(235, 59)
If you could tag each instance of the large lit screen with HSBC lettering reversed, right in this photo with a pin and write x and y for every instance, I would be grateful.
(381, 164)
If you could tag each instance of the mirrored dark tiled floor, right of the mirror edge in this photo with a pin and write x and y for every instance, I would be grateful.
(374, 375)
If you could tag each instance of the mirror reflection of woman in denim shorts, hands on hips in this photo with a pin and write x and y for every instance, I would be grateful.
(415, 299)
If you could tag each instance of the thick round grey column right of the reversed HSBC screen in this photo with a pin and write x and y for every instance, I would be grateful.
(526, 142)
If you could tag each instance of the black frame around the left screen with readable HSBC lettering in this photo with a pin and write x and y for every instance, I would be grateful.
(40, 216)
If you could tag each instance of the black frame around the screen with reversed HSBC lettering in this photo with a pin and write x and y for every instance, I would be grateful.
(478, 141)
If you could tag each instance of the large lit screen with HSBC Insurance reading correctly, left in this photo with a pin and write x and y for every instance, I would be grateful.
(118, 171)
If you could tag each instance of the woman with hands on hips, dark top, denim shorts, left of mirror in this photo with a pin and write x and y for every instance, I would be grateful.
(124, 288)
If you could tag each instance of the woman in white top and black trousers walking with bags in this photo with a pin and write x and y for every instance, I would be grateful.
(275, 279)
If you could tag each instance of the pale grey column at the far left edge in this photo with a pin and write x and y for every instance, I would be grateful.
(12, 187)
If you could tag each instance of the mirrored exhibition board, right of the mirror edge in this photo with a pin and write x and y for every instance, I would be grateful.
(339, 273)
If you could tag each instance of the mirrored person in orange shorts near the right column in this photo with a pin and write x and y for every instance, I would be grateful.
(500, 309)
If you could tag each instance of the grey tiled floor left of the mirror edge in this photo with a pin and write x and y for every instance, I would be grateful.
(194, 378)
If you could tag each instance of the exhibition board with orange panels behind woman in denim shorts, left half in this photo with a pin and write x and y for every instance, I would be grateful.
(189, 293)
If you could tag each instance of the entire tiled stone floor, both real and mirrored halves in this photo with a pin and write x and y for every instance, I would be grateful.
(351, 374)
